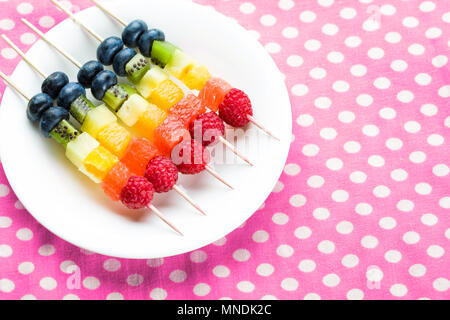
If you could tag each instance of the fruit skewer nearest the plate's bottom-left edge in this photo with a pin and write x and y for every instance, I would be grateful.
(137, 192)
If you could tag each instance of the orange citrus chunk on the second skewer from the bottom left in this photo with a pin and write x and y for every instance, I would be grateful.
(140, 152)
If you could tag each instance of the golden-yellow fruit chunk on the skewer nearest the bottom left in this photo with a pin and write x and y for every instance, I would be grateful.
(99, 162)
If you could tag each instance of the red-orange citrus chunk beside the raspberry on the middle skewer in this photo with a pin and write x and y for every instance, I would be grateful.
(169, 134)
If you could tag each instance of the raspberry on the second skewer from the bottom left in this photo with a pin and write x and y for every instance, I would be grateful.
(162, 173)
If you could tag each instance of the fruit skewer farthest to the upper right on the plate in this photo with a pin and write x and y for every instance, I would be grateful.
(233, 104)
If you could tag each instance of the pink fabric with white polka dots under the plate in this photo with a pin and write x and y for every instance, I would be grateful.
(362, 210)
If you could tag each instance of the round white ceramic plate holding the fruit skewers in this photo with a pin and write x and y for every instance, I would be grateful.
(72, 207)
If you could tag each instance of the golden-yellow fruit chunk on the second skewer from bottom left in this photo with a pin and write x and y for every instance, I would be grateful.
(115, 138)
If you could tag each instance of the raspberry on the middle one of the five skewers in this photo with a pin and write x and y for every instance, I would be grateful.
(190, 157)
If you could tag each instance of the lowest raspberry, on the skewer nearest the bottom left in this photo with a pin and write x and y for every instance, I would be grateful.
(137, 194)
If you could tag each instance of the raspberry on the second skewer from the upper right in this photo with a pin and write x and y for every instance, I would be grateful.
(206, 128)
